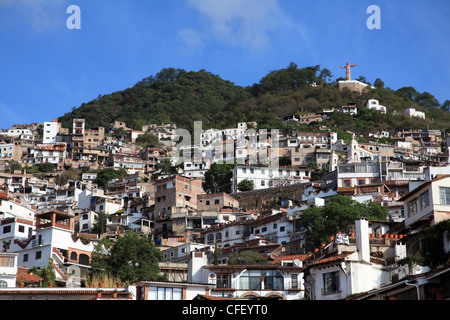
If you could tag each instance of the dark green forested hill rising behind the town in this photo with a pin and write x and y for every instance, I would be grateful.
(182, 97)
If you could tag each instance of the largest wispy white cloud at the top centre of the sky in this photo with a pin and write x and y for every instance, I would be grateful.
(245, 23)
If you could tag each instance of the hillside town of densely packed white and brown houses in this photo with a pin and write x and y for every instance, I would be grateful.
(52, 200)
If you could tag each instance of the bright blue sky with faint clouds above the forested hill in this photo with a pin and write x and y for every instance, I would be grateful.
(46, 68)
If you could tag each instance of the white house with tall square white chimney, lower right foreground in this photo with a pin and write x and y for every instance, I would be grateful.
(347, 267)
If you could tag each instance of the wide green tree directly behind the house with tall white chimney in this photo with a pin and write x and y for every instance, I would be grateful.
(337, 216)
